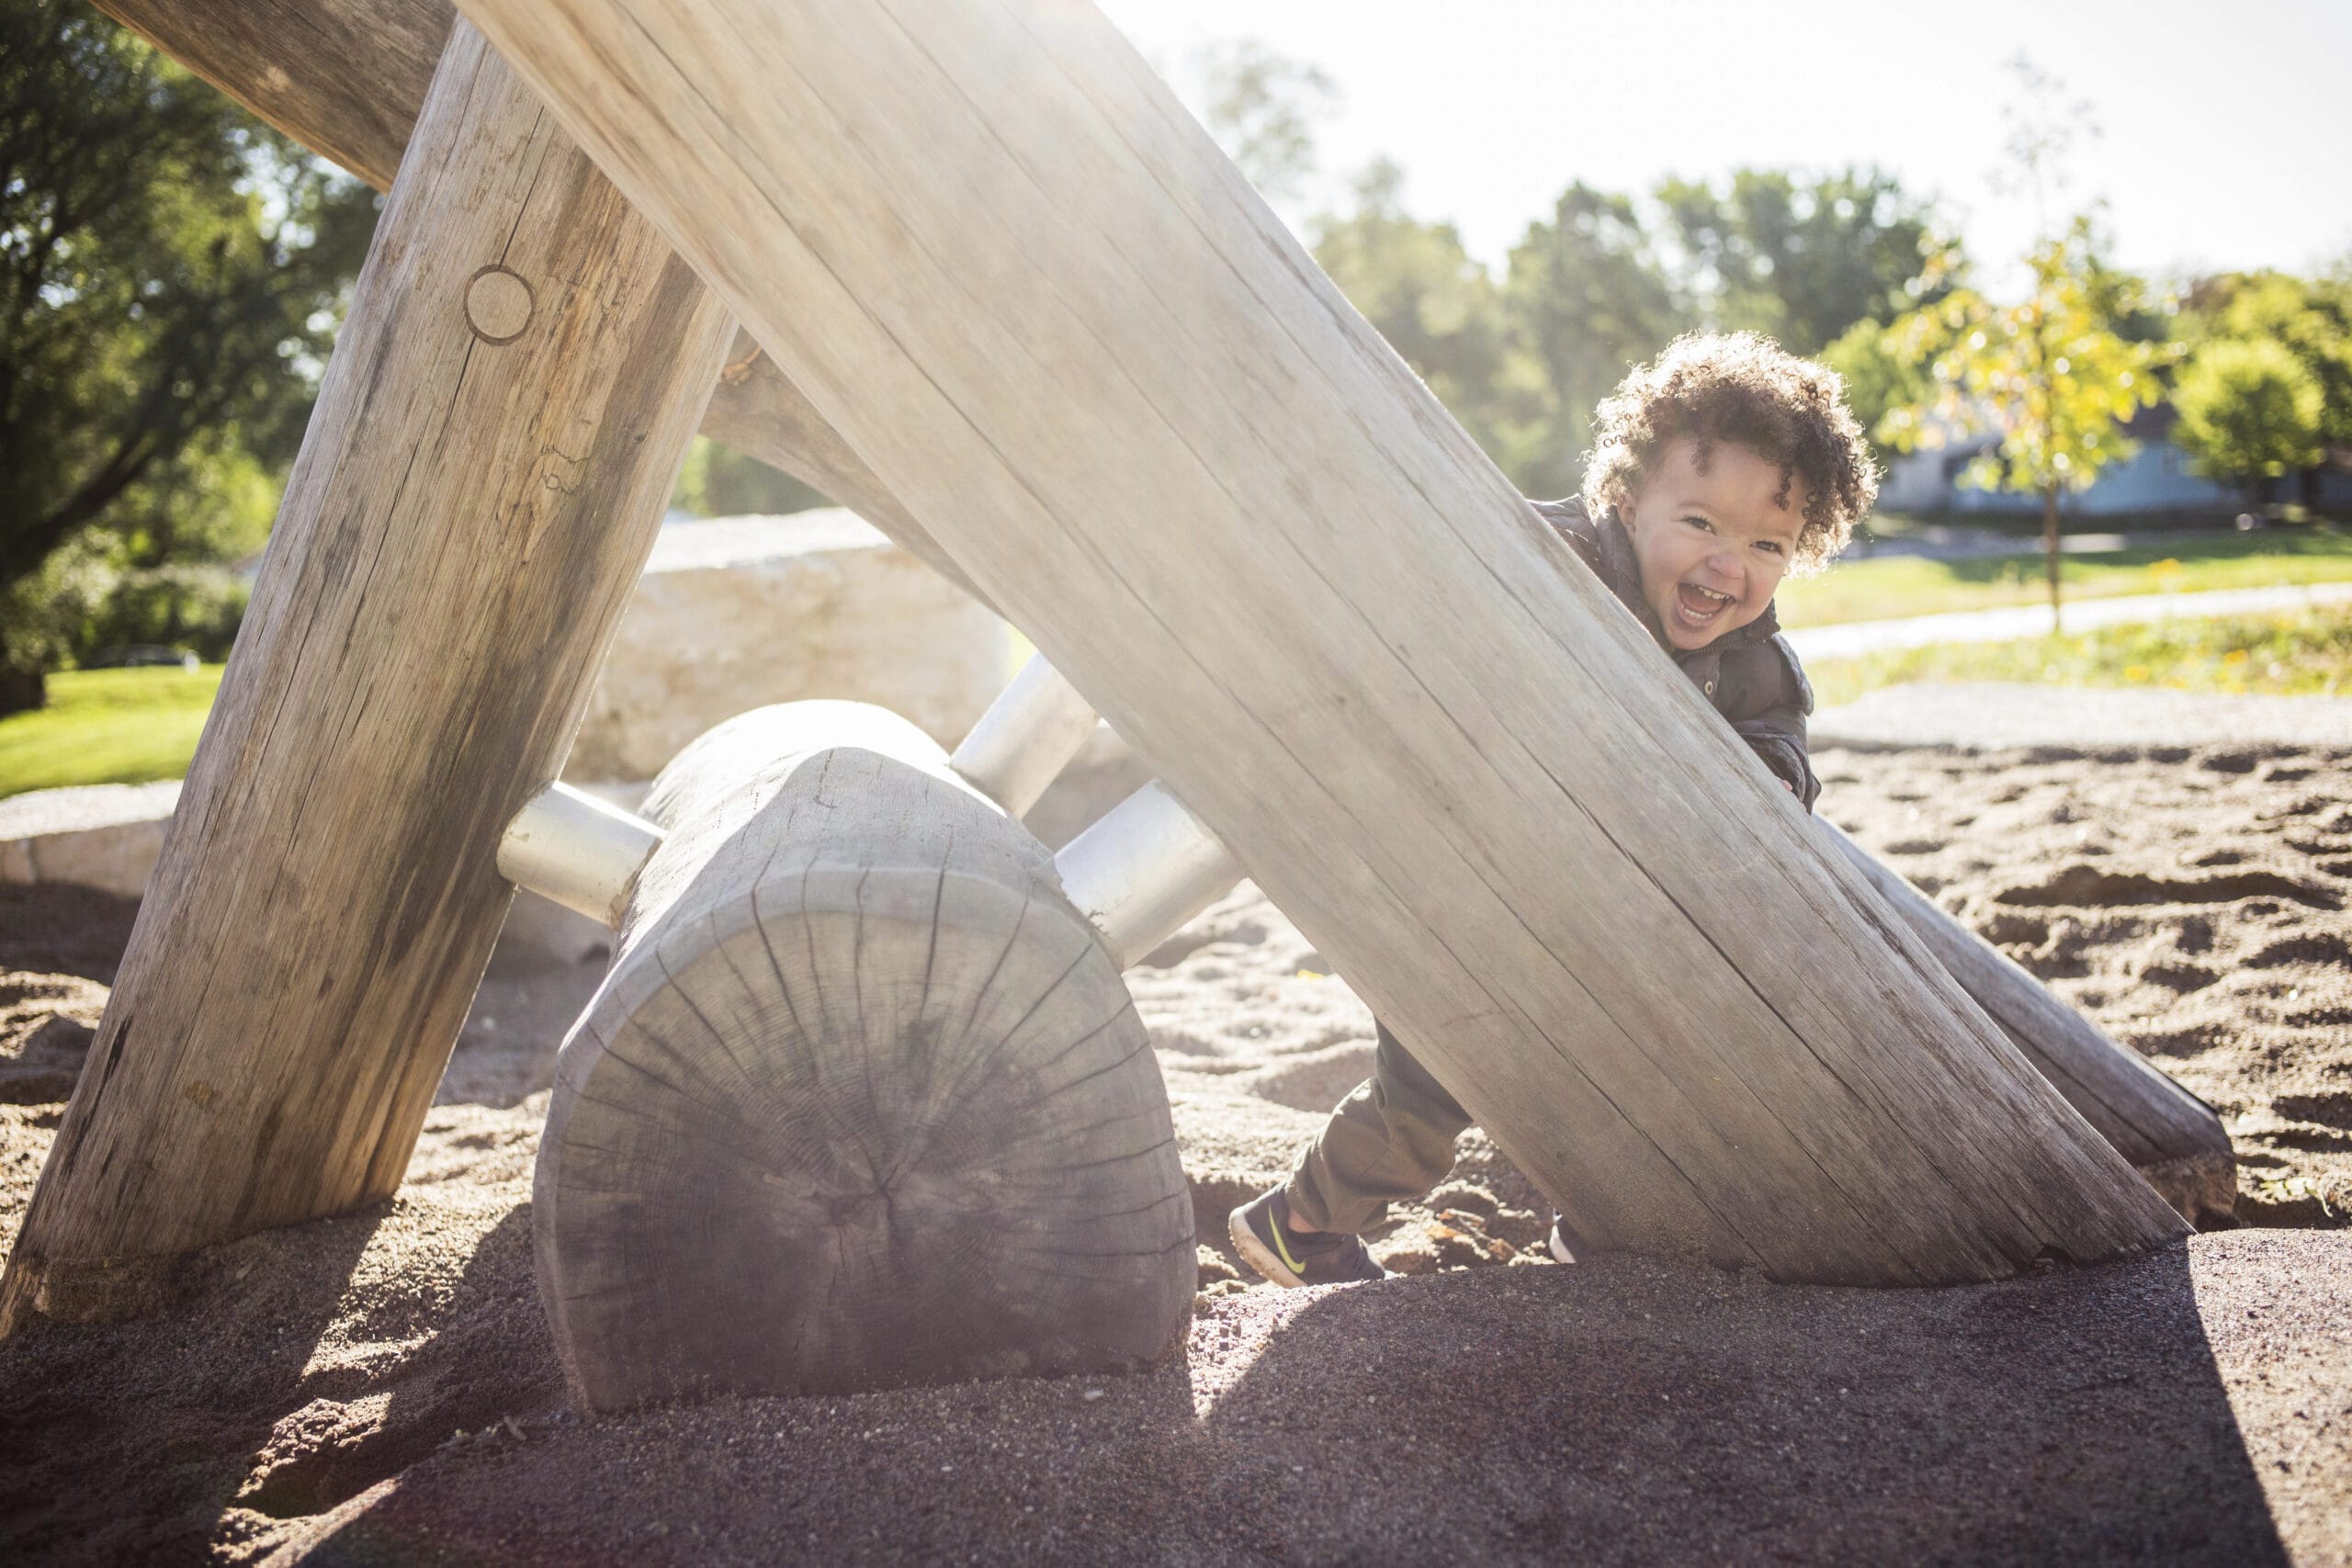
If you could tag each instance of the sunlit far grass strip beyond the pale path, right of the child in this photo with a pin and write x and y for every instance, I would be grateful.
(1890, 587)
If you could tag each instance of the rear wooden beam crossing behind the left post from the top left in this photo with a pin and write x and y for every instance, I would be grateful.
(347, 81)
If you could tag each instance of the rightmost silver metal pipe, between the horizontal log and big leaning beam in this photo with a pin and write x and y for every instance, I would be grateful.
(1144, 871)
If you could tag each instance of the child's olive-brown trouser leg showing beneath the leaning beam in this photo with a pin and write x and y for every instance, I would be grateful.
(1391, 1139)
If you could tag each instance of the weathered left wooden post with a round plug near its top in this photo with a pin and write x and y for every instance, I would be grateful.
(481, 485)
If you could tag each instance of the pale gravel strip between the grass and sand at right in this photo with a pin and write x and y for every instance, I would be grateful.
(1996, 716)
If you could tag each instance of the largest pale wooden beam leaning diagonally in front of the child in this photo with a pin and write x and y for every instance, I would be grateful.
(1015, 274)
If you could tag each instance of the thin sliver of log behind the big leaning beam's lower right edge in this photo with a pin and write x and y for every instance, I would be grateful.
(2163, 1130)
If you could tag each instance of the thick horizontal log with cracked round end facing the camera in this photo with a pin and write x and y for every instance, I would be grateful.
(862, 1104)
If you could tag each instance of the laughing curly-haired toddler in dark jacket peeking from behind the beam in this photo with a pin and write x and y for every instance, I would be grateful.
(1716, 471)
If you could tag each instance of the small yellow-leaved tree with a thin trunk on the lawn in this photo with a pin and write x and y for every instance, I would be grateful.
(2050, 377)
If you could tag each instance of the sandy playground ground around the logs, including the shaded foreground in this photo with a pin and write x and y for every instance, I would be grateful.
(382, 1391)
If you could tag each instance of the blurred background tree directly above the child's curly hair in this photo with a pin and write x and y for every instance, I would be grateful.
(1800, 260)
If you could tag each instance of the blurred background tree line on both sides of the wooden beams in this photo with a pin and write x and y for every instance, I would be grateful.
(173, 276)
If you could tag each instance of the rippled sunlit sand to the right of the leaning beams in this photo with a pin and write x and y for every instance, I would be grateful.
(2189, 902)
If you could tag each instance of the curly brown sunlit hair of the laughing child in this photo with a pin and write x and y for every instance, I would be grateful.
(1746, 389)
